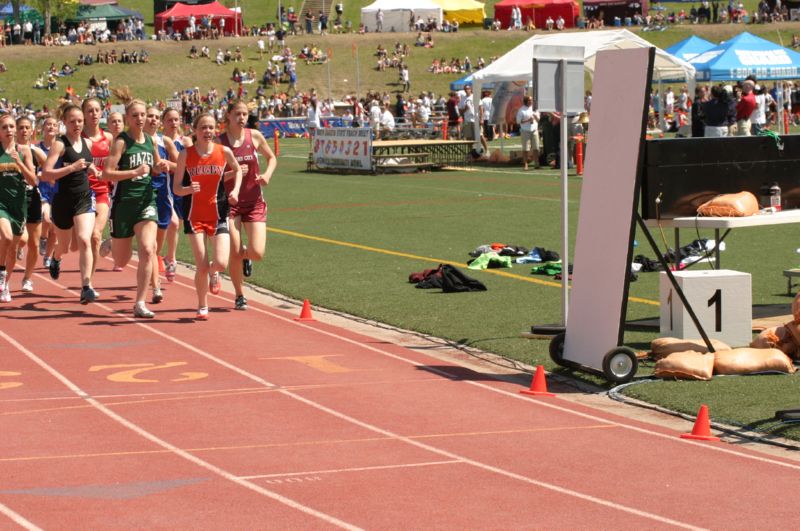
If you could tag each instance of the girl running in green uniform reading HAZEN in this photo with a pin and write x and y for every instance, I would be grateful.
(132, 160)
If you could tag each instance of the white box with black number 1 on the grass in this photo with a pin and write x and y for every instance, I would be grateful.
(721, 300)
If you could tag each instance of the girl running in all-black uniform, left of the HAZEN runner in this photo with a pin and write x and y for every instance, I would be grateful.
(73, 204)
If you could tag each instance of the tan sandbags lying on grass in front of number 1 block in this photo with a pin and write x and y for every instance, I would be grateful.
(689, 359)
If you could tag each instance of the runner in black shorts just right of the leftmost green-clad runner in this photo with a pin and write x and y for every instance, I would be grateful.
(33, 217)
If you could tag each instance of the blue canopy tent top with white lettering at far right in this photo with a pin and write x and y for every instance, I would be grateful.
(746, 55)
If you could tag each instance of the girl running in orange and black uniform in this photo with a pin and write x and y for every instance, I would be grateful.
(206, 205)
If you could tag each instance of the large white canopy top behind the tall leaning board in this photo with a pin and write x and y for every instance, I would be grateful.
(516, 65)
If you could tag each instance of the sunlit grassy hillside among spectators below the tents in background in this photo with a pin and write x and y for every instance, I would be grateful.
(171, 69)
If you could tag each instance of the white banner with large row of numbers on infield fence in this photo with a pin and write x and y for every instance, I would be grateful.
(343, 148)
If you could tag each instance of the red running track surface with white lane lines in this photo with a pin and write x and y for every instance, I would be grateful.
(253, 420)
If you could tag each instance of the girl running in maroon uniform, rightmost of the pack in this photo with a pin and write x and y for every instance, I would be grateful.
(251, 211)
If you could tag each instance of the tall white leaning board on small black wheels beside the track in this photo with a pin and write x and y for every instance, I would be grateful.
(609, 200)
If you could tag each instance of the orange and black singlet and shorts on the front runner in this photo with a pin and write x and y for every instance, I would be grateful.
(206, 210)
